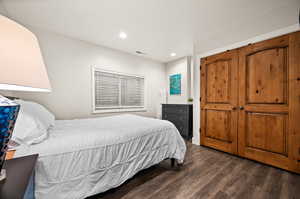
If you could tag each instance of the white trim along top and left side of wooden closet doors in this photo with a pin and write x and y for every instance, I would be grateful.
(196, 136)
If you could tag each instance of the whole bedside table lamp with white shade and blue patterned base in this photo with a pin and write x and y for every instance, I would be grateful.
(22, 69)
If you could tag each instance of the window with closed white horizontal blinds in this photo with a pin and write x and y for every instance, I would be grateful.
(114, 92)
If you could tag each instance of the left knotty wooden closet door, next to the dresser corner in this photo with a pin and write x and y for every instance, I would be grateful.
(219, 86)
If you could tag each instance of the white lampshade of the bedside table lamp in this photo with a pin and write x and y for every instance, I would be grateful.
(21, 63)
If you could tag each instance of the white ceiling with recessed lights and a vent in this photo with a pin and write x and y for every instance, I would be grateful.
(157, 27)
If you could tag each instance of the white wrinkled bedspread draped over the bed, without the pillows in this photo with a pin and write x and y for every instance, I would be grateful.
(89, 156)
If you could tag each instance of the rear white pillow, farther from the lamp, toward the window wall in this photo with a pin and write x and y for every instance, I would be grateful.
(39, 112)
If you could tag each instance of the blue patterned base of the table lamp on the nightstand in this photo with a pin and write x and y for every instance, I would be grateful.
(8, 115)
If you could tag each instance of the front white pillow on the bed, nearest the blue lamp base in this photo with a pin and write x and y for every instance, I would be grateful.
(28, 130)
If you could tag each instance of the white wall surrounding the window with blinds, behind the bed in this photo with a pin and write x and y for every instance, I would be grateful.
(69, 63)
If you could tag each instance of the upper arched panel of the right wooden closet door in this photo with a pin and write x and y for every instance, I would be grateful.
(266, 74)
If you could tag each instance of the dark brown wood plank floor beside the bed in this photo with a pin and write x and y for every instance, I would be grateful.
(209, 174)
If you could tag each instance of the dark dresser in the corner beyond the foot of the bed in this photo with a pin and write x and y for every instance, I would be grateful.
(181, 115)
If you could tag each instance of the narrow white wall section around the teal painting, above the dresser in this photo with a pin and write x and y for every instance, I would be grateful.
(180, 66)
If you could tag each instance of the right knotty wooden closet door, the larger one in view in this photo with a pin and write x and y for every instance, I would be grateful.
(266, 101)
